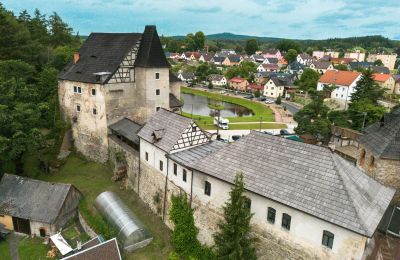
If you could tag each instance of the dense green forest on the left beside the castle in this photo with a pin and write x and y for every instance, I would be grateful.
(34, 47)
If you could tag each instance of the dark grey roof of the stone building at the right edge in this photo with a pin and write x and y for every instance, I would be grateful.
(383, 138)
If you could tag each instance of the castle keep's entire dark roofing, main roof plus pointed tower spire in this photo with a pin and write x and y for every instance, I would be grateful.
(104, 52)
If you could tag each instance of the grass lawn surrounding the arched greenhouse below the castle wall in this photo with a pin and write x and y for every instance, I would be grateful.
(91, 179)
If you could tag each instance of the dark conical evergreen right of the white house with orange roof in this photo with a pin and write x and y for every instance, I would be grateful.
(367, 88)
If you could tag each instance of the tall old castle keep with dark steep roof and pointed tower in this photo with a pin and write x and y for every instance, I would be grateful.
(113, 76)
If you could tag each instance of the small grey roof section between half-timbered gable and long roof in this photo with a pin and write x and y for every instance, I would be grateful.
(189, 156)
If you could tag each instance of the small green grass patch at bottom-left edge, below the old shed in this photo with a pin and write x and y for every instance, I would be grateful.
(32, 248)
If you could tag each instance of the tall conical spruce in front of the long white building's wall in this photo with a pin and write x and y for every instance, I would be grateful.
(233, 240)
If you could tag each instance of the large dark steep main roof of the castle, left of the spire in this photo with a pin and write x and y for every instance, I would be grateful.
(101, 52)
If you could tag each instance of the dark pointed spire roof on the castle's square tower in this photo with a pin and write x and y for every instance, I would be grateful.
(151, 53)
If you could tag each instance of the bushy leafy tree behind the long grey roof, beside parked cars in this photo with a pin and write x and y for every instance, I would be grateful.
(312, 118)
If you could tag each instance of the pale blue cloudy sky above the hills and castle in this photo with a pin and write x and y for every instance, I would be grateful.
(293, 19)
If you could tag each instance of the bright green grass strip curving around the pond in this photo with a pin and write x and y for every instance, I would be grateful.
(259, 109)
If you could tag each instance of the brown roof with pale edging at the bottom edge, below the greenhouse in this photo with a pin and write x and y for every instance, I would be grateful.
(107, 250)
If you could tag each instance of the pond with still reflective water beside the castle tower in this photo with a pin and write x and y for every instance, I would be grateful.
(198, 105)
